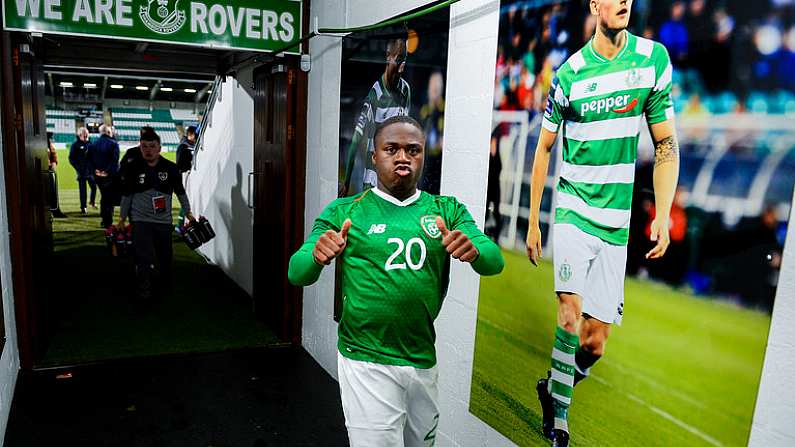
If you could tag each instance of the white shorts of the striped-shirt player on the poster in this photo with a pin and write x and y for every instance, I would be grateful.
(591, 268)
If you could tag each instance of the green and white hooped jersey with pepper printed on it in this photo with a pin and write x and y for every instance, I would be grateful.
(600, 105)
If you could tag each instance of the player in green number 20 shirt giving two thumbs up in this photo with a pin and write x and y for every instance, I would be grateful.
(394, 243)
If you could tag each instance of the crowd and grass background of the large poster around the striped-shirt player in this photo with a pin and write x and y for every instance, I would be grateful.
(684, 366)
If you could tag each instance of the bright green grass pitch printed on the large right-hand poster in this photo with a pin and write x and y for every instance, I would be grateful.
(679, 371)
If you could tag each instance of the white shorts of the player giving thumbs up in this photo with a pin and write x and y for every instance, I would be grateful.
(388, 406)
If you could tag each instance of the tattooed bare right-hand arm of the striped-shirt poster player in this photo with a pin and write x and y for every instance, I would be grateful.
(666, 175)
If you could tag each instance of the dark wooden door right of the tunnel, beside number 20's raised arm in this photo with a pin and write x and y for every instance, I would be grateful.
(278, 183)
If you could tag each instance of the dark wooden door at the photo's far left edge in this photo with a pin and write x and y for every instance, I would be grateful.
(27, 179)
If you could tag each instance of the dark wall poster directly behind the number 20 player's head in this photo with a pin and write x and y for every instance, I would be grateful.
(398, 70)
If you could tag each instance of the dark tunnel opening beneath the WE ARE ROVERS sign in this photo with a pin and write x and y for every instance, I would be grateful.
(247, 179)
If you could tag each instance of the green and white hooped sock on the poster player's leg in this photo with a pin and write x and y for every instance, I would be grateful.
(561, 384)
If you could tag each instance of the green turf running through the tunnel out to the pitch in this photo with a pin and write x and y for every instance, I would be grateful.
(94, 316)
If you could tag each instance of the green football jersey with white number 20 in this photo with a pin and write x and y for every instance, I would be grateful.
(396, 272)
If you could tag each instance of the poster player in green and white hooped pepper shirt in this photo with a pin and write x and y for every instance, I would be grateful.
(598, 100)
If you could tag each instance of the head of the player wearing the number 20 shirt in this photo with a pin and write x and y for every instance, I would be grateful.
(399, 157)
